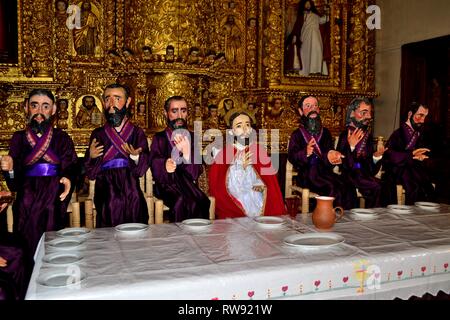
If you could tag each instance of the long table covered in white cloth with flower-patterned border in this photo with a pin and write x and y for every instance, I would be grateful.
(393, 255)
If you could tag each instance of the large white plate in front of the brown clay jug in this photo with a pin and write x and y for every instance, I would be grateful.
(314, 240)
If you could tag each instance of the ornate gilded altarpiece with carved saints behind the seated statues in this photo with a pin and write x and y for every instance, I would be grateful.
(211, 52)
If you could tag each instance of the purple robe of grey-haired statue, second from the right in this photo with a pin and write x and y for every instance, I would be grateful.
(359, 168)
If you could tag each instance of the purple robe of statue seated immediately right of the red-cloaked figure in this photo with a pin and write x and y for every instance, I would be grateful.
(316, 172)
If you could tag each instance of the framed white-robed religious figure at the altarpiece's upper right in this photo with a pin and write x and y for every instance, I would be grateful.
(313, 42)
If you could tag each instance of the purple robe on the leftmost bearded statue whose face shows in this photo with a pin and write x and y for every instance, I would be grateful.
(37, 208)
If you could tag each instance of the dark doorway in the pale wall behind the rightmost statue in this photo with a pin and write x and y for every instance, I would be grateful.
(425, 78)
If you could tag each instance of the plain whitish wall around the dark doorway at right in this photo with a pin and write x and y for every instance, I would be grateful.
(402, 22)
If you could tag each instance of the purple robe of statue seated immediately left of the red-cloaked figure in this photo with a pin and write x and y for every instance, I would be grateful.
(178, 190)
